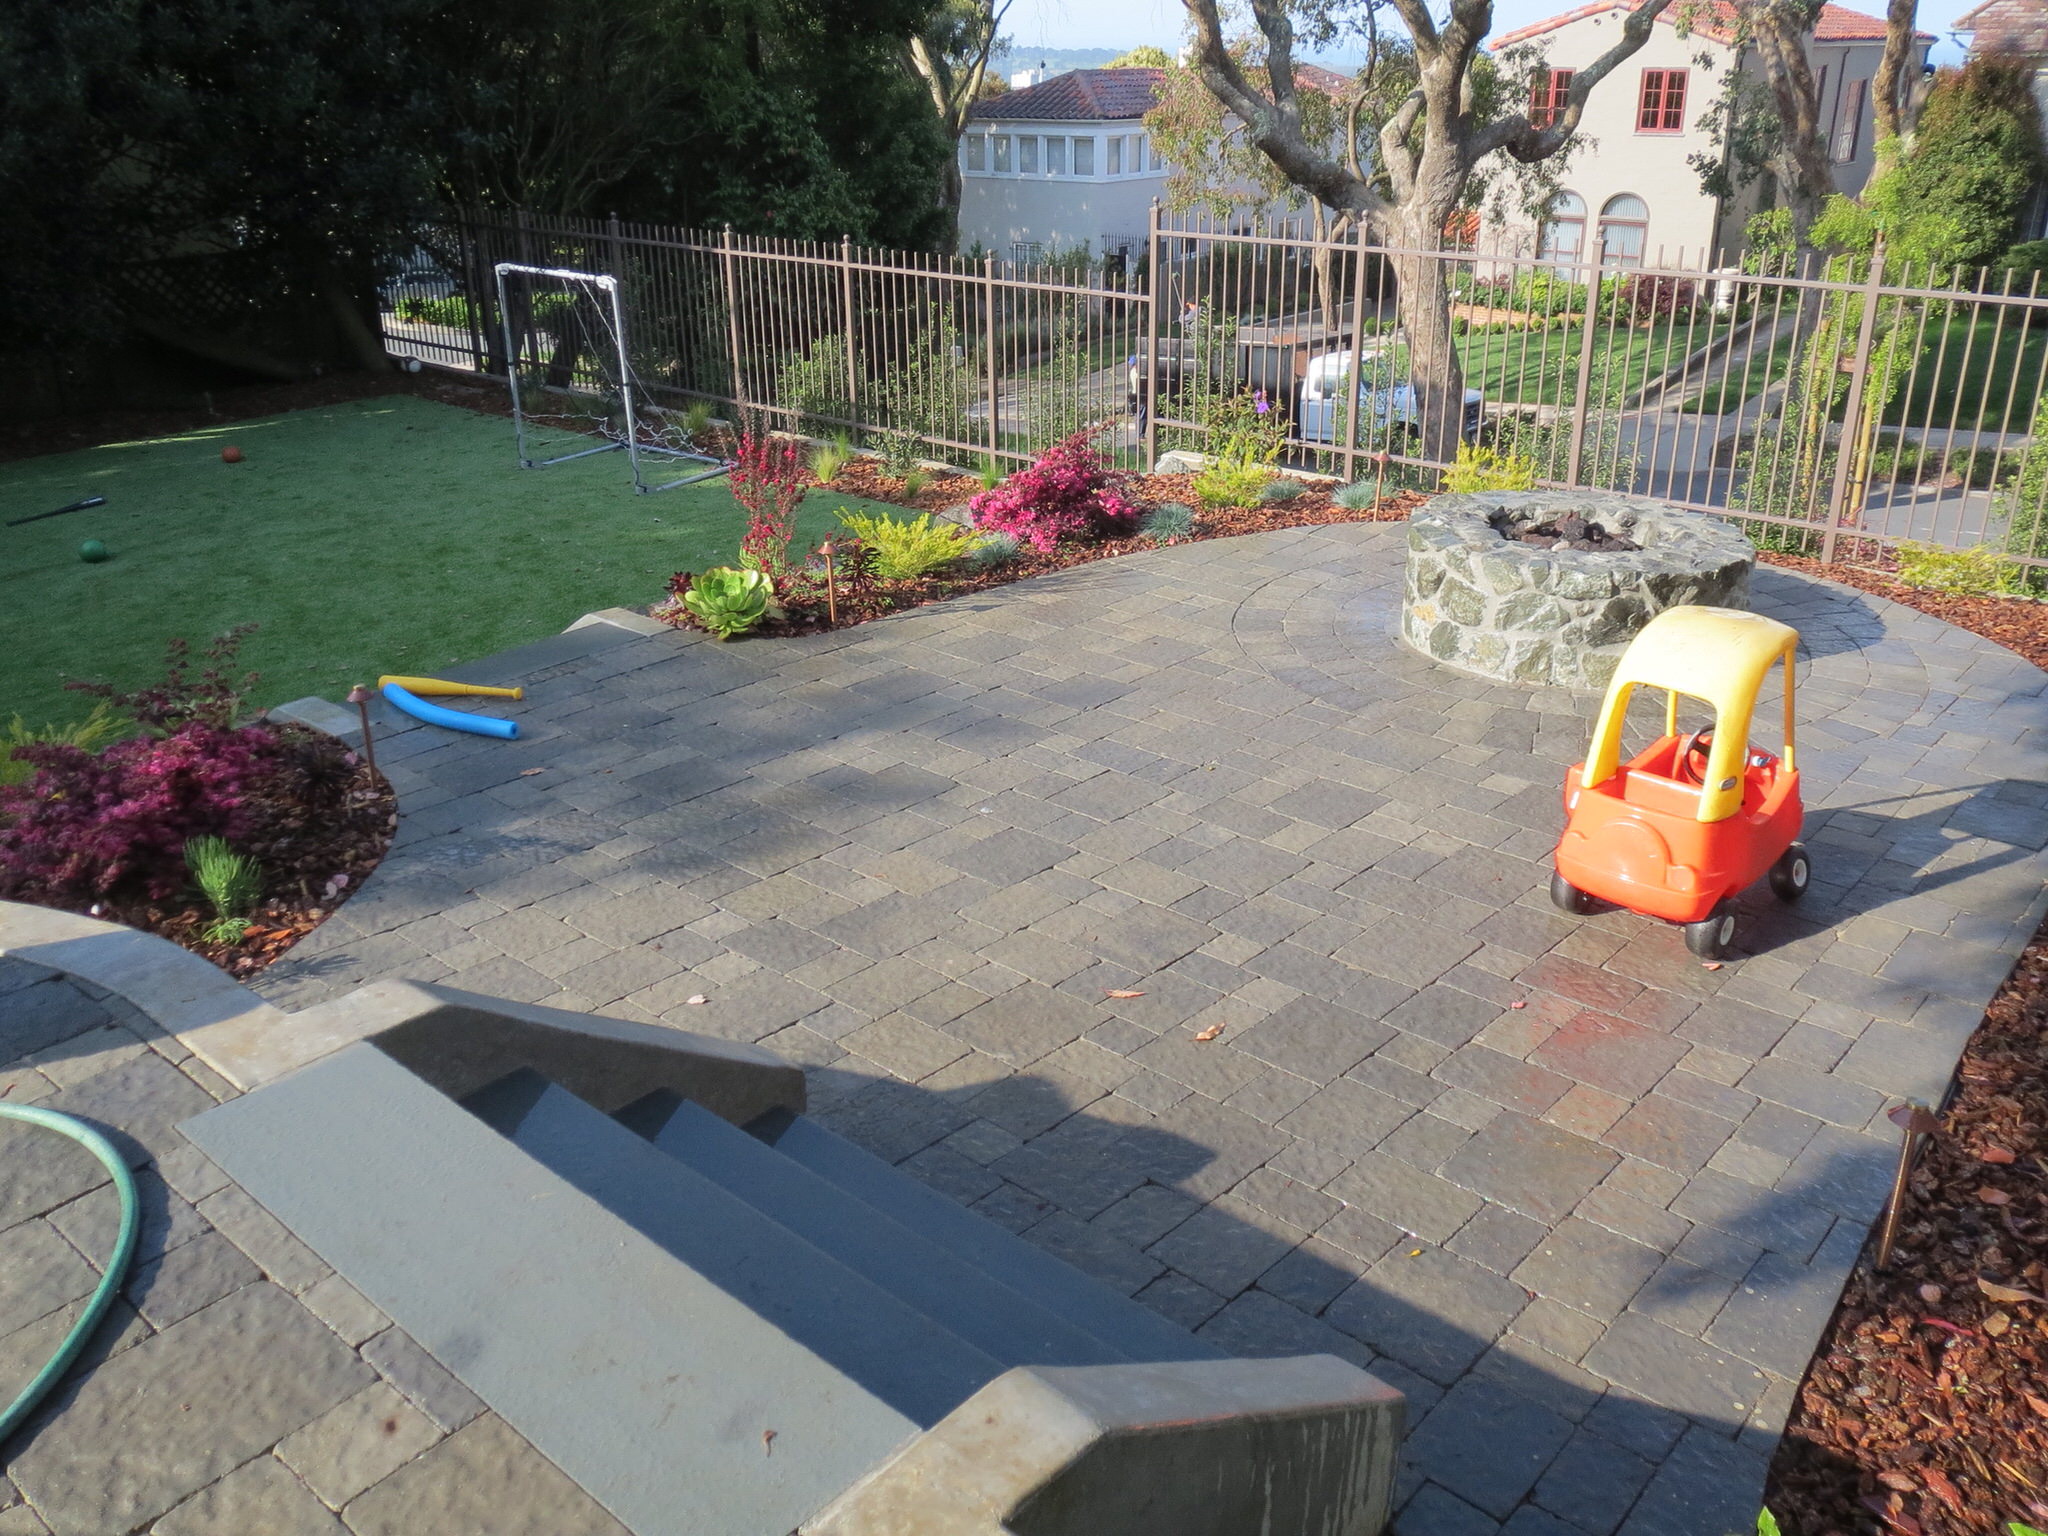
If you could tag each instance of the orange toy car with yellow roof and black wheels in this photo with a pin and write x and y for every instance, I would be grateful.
(1693, 820)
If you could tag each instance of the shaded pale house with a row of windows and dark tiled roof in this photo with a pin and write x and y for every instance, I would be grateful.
(1060, 165)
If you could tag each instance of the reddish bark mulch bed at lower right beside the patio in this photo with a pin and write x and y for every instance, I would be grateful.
(1926, 1410)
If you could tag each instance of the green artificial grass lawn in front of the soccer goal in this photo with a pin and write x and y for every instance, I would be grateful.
(384, 536)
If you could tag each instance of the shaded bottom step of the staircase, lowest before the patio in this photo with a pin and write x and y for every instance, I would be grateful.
(1125, 1326)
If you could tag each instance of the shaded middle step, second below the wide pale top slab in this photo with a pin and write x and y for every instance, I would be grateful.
(953, 1293)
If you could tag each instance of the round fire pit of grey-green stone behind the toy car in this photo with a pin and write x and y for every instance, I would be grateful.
(1558, 611)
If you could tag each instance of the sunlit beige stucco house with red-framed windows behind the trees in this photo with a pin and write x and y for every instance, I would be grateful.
(1631, 189)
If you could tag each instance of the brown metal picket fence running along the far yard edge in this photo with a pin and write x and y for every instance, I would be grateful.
(1832, 409)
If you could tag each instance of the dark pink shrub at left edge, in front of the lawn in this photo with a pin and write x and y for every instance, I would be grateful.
(93, 824)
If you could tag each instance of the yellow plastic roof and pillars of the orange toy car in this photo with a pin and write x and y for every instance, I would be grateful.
(1719, 656)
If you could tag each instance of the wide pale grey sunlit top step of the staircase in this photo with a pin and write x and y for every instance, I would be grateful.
(656, 1388)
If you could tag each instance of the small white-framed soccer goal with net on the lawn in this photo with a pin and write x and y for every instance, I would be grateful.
(574, 384)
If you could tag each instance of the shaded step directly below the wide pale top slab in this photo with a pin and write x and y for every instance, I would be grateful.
(865, 1332)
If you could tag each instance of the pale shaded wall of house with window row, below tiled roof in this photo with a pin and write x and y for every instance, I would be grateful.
(1002, 210)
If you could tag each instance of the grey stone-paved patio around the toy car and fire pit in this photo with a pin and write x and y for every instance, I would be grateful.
(1586, 1201)
